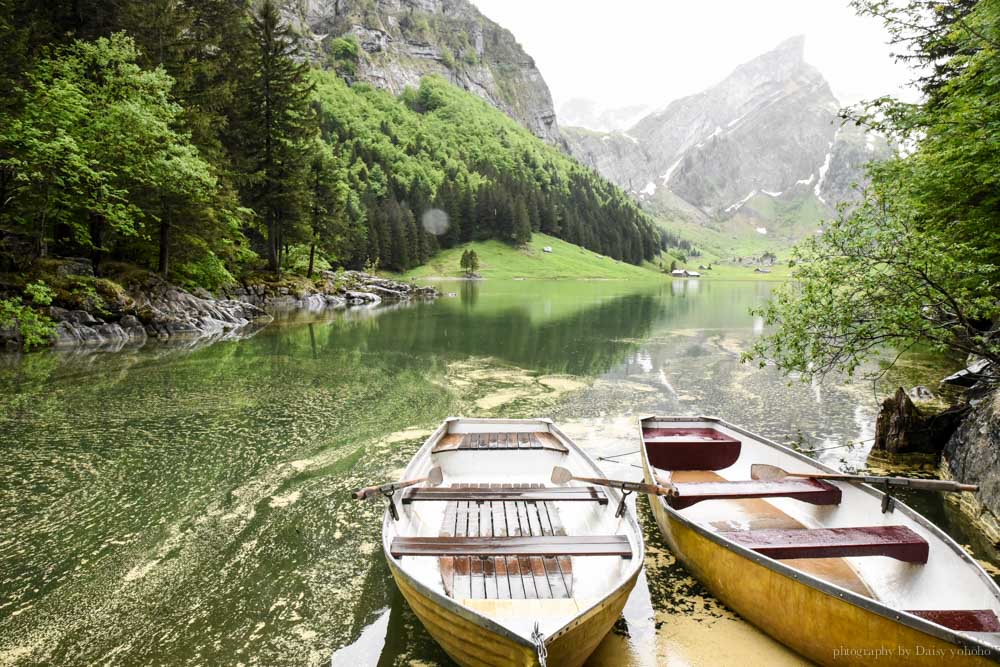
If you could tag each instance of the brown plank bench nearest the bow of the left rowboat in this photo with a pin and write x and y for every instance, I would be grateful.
(545, 546)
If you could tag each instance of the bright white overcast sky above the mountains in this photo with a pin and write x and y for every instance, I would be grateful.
(628, 52)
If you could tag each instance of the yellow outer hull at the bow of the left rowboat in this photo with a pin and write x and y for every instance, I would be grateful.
(472, 644)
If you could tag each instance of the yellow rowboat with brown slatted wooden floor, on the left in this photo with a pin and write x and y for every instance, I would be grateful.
(501, 566)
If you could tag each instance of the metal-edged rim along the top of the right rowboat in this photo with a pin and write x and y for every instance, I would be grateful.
(899, 615)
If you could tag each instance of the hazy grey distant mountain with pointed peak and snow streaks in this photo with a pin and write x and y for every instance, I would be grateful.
(769, 130)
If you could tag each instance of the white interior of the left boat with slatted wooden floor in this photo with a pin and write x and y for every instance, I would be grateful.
(499, 538)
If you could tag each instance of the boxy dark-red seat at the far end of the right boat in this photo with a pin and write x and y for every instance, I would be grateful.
(689, 448)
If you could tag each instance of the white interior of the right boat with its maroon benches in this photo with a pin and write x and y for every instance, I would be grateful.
(837, 532)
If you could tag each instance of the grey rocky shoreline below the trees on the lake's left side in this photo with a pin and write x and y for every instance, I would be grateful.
(152, 309)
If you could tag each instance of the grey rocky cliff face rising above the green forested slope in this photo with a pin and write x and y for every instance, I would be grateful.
(404, 40)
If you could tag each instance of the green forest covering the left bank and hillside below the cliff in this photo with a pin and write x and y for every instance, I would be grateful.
(204, 141)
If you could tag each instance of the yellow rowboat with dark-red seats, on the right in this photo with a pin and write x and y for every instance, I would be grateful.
(831, 569)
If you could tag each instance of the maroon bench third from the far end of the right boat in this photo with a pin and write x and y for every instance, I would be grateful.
(897, 542)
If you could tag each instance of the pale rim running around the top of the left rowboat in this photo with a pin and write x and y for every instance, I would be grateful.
(459, 610)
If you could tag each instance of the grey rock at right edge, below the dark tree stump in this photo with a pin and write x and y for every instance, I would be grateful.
(972, 456)
